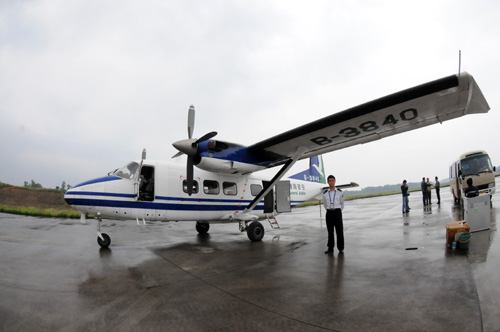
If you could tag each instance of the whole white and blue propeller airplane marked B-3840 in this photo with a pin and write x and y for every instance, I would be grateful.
(224, 187)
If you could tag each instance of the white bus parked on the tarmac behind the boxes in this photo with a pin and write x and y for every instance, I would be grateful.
(475, 165)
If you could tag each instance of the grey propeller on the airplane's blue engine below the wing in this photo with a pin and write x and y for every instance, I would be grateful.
(189, 147)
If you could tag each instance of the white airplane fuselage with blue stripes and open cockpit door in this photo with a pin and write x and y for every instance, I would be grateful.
(156, 190)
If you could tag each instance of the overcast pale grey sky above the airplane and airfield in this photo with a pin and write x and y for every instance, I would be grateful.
(86, 85)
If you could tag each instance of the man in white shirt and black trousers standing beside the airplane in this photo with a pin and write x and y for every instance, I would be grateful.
(333, 201)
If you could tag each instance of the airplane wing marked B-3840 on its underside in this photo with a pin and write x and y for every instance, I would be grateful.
(434, 102)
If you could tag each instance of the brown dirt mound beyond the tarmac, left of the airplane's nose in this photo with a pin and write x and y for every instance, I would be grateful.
(25, 197)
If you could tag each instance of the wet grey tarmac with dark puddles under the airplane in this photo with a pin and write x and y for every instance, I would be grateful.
(396, 274)
